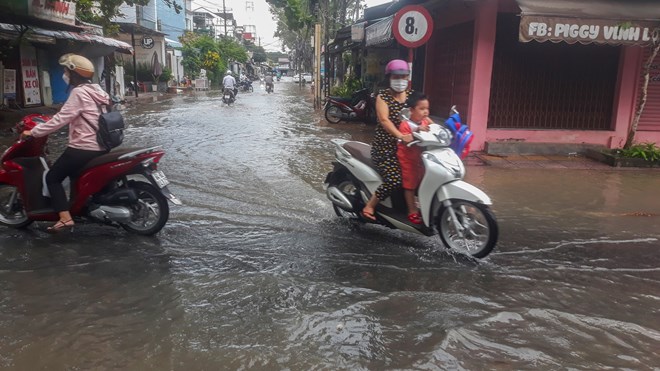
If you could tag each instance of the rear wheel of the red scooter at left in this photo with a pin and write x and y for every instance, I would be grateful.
(151, 211)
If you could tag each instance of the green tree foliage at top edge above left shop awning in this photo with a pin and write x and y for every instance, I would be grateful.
(102, 12)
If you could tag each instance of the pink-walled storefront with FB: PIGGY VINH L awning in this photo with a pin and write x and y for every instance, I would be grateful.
(532, 71)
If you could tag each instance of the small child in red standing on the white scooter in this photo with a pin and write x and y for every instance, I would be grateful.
(410, 159)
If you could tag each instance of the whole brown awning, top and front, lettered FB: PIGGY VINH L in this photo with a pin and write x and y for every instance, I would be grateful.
(613, 22)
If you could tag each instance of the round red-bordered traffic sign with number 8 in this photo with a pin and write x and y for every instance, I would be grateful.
(412, 26)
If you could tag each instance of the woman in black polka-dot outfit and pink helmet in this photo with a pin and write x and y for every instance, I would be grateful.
(389, 103)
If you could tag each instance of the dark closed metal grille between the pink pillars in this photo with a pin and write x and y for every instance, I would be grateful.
(550, 86)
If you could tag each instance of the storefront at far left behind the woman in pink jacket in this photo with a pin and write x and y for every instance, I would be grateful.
(29, 50)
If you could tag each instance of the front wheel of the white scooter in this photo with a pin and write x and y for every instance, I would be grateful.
(468, 227)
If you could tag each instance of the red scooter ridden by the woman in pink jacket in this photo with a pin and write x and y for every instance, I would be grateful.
(102, 193)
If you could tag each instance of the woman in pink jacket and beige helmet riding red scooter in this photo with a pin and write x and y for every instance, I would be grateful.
(81, 111)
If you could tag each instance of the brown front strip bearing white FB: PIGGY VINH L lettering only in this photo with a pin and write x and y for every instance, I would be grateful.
(585, 30)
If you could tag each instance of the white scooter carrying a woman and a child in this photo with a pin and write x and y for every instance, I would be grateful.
(450, 207)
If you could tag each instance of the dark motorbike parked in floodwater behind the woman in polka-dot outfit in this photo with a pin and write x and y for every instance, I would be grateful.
(360, 107)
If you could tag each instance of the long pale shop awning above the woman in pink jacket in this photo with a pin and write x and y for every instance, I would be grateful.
(41, 35)
